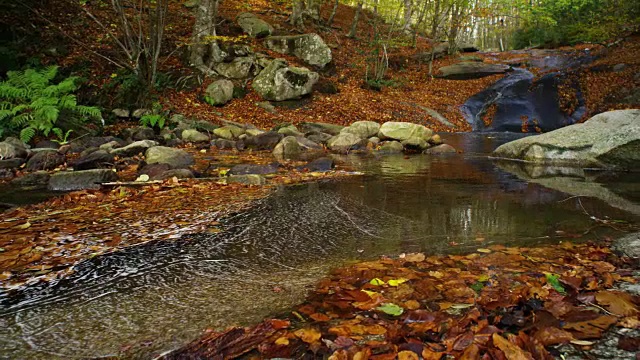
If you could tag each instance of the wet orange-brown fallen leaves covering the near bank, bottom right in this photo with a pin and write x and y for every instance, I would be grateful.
(497, 303)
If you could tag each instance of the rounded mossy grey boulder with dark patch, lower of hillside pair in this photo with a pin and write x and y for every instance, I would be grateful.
(279, 82)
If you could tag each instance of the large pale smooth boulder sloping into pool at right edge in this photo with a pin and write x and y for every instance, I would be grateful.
(607, 140)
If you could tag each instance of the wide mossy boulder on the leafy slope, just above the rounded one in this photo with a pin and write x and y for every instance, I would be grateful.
(308, 47)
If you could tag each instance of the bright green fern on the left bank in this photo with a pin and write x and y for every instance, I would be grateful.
(31, 103)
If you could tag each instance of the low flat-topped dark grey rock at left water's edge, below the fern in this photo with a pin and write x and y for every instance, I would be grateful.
(81, 180)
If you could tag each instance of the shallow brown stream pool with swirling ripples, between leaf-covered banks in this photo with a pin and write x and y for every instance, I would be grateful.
(152, 298)
